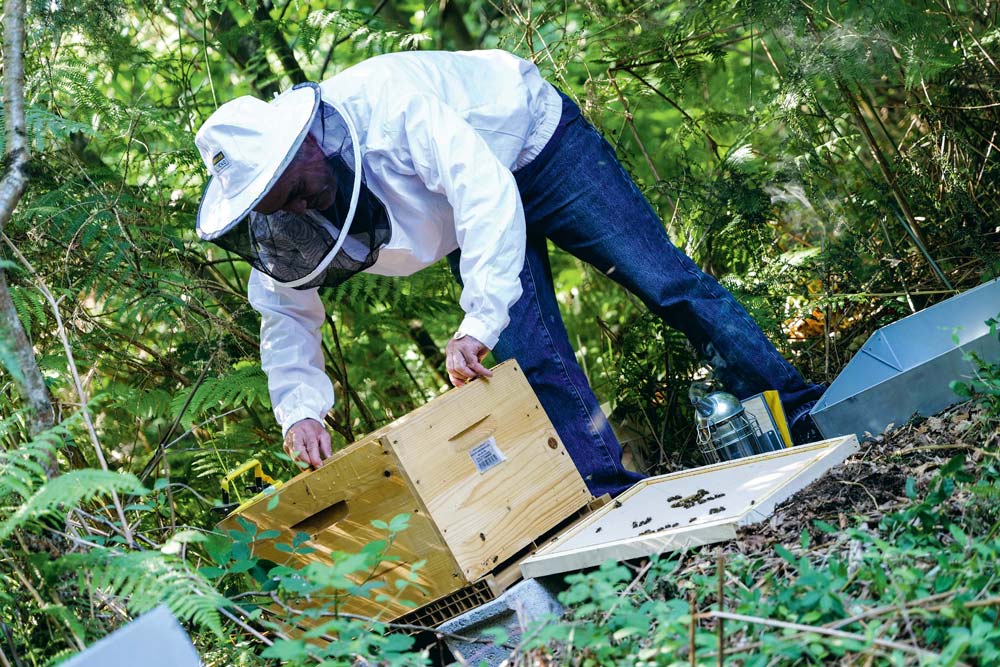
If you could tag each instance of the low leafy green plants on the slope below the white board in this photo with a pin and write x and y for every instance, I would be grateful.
(924, 566)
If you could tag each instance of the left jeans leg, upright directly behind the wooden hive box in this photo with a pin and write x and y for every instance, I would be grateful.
(536, 337)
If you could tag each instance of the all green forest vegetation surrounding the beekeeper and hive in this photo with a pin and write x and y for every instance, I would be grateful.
(835, 166)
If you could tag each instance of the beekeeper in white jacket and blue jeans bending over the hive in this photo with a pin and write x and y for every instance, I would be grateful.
(408, 158)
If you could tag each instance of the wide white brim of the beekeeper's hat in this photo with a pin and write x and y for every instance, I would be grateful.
(217, 214)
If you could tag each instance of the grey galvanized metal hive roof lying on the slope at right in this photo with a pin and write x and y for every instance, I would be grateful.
(905, 368)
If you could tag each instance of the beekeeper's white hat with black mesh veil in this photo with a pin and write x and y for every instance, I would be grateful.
(247, 144)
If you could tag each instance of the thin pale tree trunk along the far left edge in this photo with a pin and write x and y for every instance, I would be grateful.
(19, 356)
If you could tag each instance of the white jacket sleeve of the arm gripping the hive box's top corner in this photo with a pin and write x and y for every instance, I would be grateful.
(452, 159)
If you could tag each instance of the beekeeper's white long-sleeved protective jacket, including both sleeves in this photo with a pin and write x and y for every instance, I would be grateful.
(440, 134)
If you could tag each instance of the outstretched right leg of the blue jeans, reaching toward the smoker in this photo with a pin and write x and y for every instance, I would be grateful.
(582, 199)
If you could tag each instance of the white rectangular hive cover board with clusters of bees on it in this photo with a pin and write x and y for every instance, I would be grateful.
(689, 508)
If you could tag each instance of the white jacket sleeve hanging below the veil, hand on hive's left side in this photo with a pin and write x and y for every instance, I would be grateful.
(291, 352)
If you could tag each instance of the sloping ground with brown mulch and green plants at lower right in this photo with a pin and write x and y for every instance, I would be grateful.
(886, 560)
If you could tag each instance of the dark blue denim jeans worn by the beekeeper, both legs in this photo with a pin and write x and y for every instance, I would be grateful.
(577, 194)
